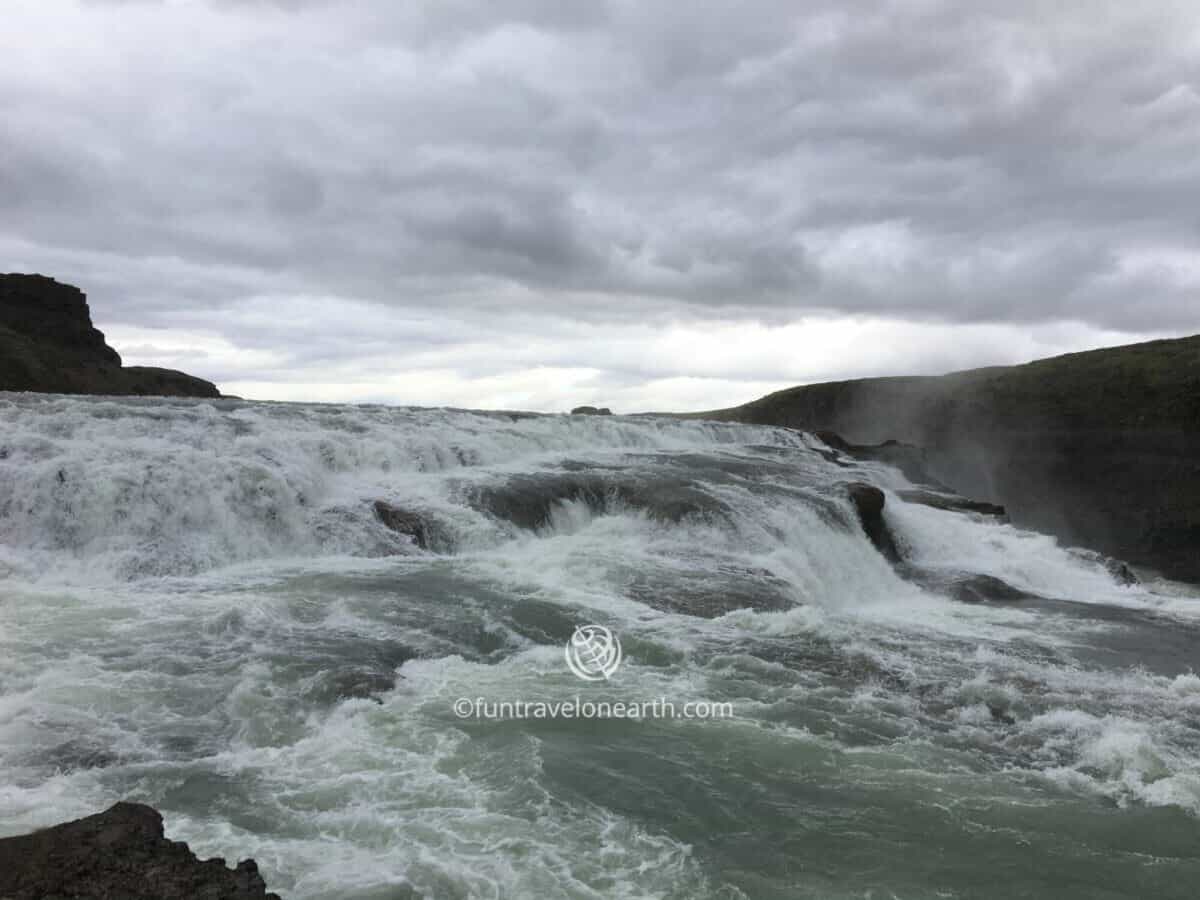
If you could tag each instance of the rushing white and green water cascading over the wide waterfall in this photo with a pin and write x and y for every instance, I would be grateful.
(200, 609)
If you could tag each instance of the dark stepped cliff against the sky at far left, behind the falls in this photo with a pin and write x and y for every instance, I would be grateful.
(49, 344)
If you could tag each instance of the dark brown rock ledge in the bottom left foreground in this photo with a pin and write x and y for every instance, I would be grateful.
(119, 855)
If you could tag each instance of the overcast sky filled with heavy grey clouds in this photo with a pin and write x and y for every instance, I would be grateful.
(543, 203)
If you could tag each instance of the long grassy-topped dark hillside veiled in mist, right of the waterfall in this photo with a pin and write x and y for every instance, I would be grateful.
(1101, 448)
